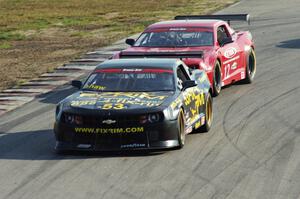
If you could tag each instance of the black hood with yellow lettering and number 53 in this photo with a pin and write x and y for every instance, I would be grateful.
(117, 100)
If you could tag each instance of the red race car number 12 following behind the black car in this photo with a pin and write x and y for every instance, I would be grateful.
(202, 42)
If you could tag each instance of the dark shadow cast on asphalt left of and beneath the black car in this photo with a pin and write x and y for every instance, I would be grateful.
(39, 145)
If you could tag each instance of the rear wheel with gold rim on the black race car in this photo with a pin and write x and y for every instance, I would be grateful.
(208, 115)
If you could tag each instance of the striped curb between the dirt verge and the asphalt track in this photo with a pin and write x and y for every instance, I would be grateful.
(17, 96)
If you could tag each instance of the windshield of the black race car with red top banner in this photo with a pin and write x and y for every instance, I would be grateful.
(130, 80)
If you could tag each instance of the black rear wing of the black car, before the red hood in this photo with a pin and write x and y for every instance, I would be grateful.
(180, 55)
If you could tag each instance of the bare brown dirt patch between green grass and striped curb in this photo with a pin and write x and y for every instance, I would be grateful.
(30, 58)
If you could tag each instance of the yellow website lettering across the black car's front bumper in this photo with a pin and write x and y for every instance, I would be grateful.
(109, 130)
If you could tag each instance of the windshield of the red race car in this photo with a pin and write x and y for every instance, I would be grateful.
(175, 38)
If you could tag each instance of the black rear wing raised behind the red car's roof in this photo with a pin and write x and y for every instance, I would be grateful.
(228, 18)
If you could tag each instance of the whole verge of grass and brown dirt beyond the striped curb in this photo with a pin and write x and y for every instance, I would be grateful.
(42, 24)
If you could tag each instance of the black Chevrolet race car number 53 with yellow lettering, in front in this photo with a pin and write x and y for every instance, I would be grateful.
(134, 104)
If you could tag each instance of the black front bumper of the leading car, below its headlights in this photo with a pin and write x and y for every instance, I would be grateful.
(162, 135)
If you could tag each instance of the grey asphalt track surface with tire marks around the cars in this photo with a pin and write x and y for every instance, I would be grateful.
(252, 151)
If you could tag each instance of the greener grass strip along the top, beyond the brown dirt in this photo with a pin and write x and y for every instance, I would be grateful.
(128, 15)
